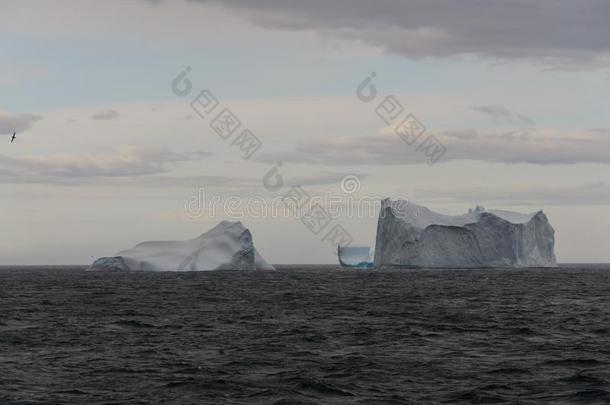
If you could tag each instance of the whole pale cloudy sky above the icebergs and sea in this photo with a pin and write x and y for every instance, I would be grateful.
(112, 148)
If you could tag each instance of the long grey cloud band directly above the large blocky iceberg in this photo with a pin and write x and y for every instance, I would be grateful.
(535, 147)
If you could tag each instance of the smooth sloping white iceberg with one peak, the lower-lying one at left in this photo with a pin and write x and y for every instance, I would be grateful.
(227, 246)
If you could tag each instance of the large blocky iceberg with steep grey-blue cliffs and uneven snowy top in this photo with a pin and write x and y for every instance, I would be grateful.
(411, 235)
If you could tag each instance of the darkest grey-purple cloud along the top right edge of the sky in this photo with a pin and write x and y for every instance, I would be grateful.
(561, 30)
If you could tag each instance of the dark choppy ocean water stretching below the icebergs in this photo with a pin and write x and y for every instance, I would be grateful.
(305, 335)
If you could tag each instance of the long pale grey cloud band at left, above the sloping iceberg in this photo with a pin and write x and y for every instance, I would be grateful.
(136, 167)
